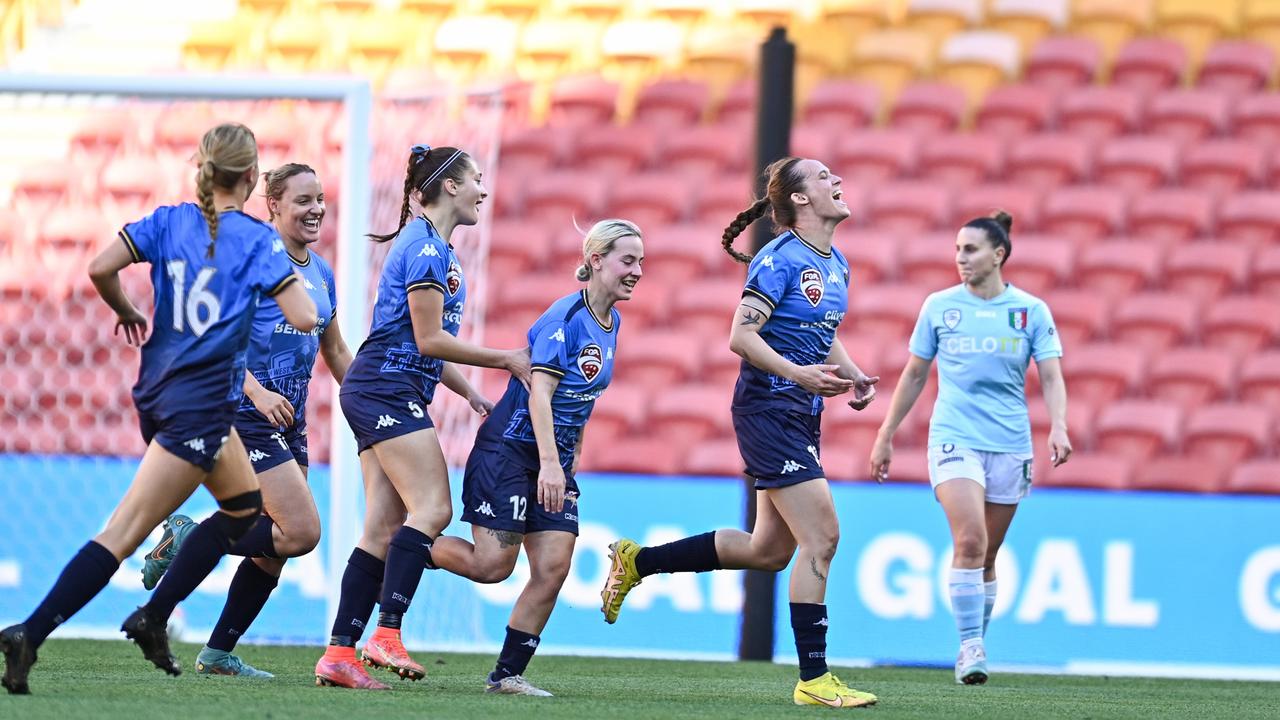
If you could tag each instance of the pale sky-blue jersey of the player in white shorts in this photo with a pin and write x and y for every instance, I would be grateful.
(984, 348)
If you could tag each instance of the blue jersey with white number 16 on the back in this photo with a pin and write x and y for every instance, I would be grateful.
(204, 307)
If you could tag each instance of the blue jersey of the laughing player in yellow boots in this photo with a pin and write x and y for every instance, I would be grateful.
(808, 291)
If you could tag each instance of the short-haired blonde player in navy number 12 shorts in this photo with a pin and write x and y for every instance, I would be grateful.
(519, 487)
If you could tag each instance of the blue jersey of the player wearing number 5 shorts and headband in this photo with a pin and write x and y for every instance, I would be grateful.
(419, 259)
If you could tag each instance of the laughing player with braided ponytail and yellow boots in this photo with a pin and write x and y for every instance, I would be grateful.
(785, 330)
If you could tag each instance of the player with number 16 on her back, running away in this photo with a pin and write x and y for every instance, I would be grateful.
(211, 265)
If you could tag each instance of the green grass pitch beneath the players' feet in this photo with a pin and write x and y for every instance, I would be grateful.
(106, 680)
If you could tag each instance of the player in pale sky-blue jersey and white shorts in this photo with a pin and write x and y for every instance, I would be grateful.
(984, 332)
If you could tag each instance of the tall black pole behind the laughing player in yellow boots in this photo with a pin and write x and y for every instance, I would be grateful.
(775, 106)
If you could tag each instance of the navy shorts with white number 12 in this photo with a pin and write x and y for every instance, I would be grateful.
(500, 491)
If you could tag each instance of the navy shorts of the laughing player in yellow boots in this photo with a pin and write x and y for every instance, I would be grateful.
(780, 449)
